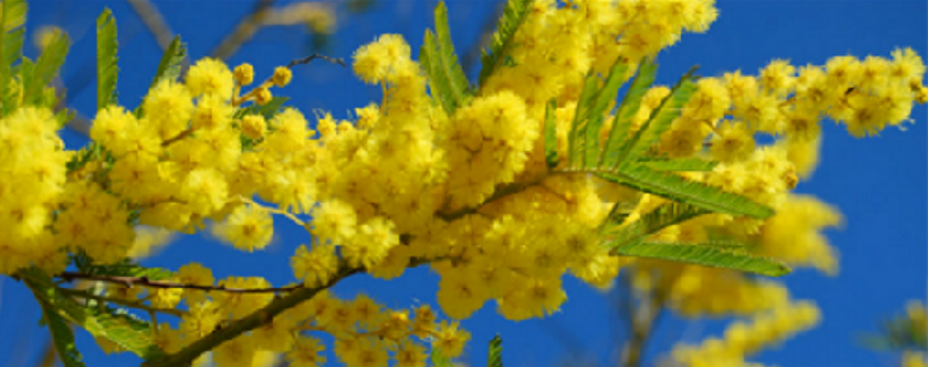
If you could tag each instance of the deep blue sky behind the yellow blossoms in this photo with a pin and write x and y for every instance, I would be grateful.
(878, 183)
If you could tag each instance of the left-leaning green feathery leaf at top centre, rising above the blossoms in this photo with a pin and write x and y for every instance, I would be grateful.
(446, 77)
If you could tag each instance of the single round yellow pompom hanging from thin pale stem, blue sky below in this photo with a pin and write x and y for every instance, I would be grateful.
(247, 228)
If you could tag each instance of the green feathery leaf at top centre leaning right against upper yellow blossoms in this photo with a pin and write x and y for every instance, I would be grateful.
(514, 15)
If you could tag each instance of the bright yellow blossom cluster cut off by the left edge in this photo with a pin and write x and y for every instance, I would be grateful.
(32, 162)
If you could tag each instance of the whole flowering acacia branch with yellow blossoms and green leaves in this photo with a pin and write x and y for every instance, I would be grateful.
(539, 169)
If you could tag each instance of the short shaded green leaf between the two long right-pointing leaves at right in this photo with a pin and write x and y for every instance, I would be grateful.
(663, 216)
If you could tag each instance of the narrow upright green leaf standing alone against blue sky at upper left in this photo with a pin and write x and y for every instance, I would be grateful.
(107, 70)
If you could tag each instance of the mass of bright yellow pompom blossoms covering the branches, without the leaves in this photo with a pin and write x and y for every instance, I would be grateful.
(468, 190)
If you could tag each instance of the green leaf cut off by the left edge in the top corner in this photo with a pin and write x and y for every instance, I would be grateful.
(12, 18)
